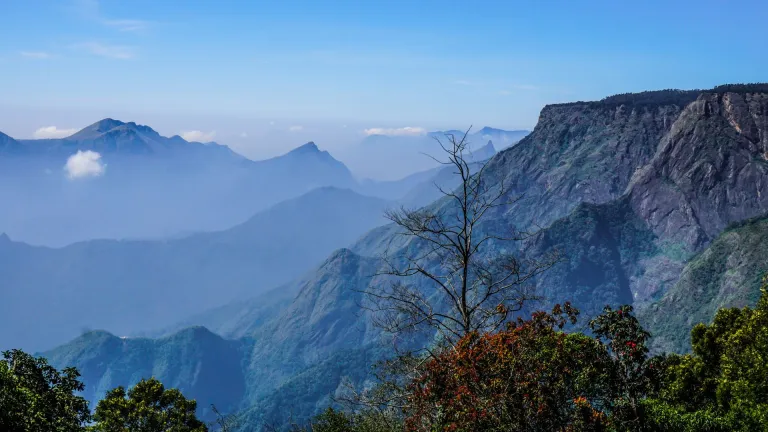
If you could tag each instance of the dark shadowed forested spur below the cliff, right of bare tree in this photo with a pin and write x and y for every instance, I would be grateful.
(604, 247)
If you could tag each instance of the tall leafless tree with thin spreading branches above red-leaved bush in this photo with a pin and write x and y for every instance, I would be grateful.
(470, 284)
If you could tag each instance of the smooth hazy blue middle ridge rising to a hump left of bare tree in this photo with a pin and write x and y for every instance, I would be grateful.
(54, 294)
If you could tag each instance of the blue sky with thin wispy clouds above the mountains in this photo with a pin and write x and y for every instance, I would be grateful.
(246, 72)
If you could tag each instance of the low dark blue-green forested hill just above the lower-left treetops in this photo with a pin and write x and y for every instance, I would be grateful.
(201, 364)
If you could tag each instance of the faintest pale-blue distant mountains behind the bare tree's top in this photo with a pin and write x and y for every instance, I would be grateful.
(388, 158)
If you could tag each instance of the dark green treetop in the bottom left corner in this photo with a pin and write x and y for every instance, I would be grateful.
(34, 396)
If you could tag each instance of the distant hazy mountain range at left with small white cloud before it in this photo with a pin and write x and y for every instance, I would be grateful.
(144, 185)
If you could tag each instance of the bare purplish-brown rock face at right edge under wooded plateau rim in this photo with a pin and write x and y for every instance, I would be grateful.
(710, 169)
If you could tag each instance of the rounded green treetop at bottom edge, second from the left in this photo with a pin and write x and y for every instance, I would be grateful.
(147, 407)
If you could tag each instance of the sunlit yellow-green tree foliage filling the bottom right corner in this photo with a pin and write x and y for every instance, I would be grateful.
(723, 384)
